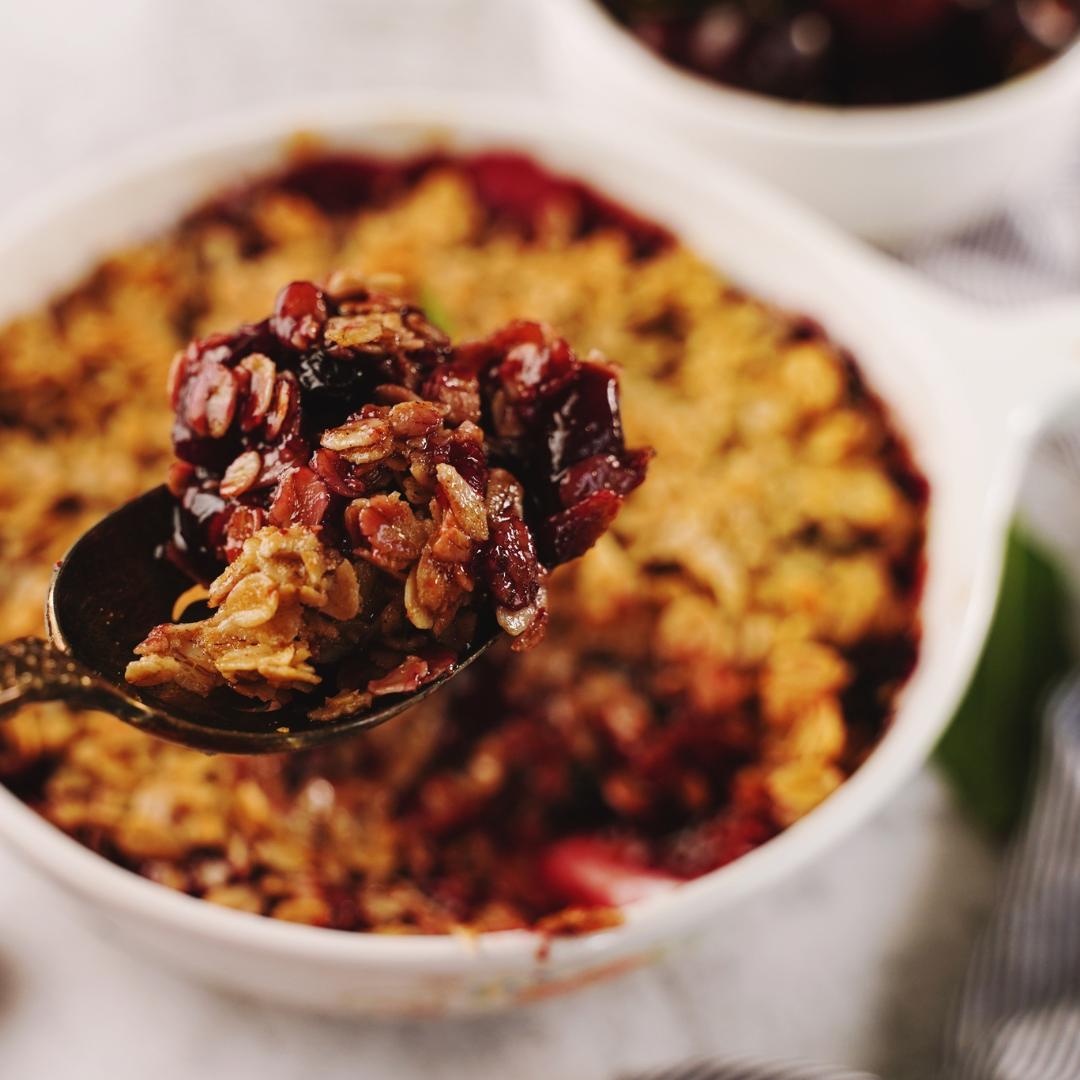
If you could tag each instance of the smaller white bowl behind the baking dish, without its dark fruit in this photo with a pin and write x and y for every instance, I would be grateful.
(887, 174)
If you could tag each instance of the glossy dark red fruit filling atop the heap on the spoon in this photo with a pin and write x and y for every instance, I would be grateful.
(289, 421)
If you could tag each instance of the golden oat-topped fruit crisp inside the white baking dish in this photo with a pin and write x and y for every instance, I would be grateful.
(714, 667)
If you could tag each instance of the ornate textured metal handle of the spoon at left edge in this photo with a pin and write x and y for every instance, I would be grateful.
(35, 670)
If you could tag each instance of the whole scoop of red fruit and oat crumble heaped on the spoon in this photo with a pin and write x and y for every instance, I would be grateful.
(332, 460)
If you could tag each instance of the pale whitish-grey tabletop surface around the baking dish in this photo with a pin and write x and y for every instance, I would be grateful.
(852, 962)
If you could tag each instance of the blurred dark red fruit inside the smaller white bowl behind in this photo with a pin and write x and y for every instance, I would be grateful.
(855, 52)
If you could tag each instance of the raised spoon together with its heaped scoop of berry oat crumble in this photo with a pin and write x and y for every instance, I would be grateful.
(358, 510)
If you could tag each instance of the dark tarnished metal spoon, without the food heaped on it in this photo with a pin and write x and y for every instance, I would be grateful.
(110, 590)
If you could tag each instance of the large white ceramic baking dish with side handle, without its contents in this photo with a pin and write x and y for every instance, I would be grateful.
(954, 379)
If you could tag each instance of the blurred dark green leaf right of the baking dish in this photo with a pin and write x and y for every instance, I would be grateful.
(990, 748)
